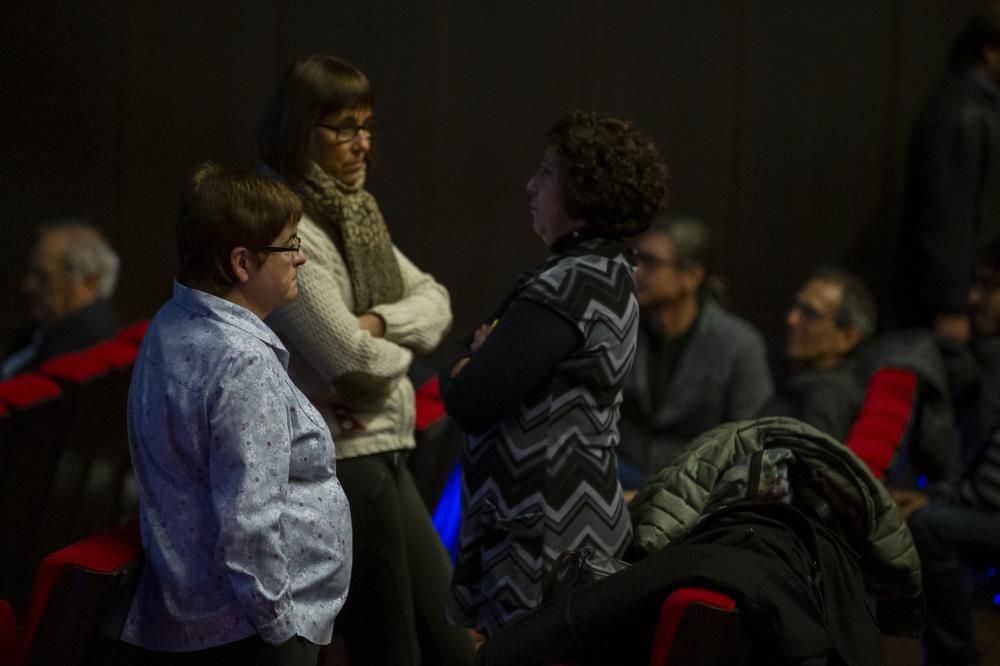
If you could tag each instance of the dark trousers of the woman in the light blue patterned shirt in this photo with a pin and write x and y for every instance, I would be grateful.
(252, 651)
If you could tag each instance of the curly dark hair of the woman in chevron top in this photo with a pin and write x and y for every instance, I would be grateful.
(610, 172)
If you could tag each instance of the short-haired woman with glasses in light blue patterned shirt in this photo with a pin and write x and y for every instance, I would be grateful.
(245, 528)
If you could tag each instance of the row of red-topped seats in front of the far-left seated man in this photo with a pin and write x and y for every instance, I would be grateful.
(64, 457)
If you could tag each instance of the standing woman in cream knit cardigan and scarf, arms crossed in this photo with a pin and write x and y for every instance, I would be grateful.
(363, 310)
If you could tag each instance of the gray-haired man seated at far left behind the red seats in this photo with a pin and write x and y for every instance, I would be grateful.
(72, 273)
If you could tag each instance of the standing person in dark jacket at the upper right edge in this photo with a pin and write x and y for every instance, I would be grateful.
(951, 205)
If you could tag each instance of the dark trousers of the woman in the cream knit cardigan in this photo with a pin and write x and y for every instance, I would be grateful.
(395, 610)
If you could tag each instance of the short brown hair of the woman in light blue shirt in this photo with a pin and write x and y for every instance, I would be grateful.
(222, 209)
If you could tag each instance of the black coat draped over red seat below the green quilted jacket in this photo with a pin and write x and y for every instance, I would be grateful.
(797, 586)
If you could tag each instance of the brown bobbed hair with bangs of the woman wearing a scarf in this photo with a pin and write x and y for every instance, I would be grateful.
(310, 88)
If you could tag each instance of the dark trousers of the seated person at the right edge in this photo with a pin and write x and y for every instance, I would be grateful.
(949, 538)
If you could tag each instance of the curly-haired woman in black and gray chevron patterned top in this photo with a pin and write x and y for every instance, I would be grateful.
(538, 387)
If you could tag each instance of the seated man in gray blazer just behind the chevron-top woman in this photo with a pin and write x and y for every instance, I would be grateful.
(697, 365)
